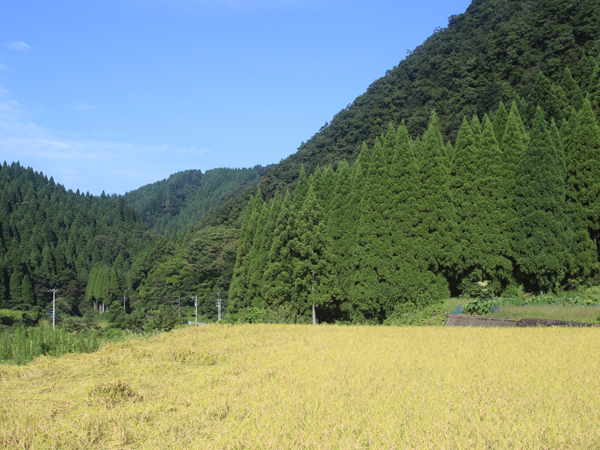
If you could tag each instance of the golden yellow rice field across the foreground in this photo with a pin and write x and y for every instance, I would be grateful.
(304, 387)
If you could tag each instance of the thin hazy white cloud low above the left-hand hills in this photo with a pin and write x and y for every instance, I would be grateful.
(90, 165)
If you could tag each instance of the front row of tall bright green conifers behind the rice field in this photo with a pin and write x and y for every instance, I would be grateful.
(515, 201)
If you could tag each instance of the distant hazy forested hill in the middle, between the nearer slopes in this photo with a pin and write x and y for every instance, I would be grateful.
(180, 201)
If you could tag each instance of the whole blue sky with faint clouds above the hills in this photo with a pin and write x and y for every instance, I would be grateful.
(112, 95)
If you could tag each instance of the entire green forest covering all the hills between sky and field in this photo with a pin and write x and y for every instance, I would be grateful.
(476, 158)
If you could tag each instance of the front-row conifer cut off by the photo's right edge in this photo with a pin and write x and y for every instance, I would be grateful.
(583, 189)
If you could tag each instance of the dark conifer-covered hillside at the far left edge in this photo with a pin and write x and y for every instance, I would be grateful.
(54, 238)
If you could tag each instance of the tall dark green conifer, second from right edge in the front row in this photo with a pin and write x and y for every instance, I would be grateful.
(541, 234)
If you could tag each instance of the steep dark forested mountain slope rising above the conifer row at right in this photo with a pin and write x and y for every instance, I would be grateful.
(491, 53)
